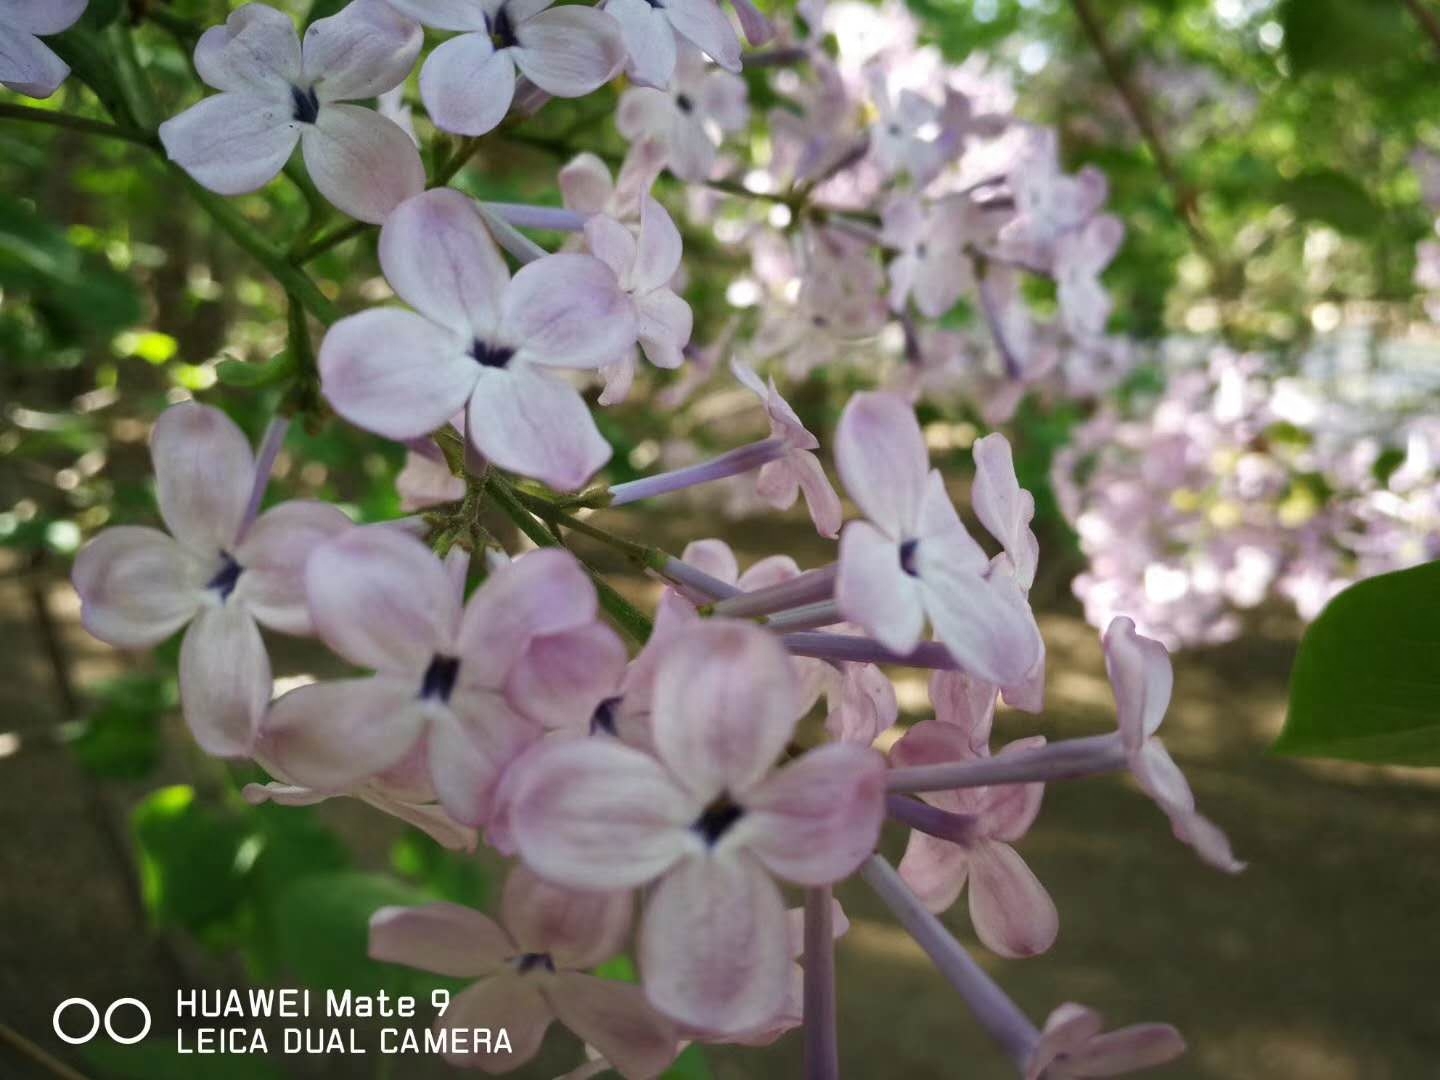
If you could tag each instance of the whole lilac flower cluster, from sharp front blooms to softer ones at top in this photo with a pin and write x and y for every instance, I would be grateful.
(693, 775)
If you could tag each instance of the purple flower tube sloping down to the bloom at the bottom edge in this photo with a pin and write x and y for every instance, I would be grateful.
(991, 1006)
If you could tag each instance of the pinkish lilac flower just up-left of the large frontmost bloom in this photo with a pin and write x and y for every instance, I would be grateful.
(446, 679)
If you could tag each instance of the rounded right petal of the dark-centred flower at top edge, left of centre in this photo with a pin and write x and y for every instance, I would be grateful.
(570, 51)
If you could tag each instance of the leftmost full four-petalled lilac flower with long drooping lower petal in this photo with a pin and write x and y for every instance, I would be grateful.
(217, 574)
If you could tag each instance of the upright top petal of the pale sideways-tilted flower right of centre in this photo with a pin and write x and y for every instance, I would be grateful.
(883, 463)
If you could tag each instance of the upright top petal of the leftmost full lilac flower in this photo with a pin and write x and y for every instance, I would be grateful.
(204, 474)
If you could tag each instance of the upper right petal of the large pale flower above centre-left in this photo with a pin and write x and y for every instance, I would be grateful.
(570, 312)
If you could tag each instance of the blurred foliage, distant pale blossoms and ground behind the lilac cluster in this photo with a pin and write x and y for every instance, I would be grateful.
(1271, 161)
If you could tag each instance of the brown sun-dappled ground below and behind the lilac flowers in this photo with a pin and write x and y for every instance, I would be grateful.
(1317, 964)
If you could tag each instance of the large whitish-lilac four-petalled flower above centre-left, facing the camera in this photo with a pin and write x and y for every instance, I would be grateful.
(480, 341)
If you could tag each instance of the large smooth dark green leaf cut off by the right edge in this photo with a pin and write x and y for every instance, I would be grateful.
(1367, 682)
